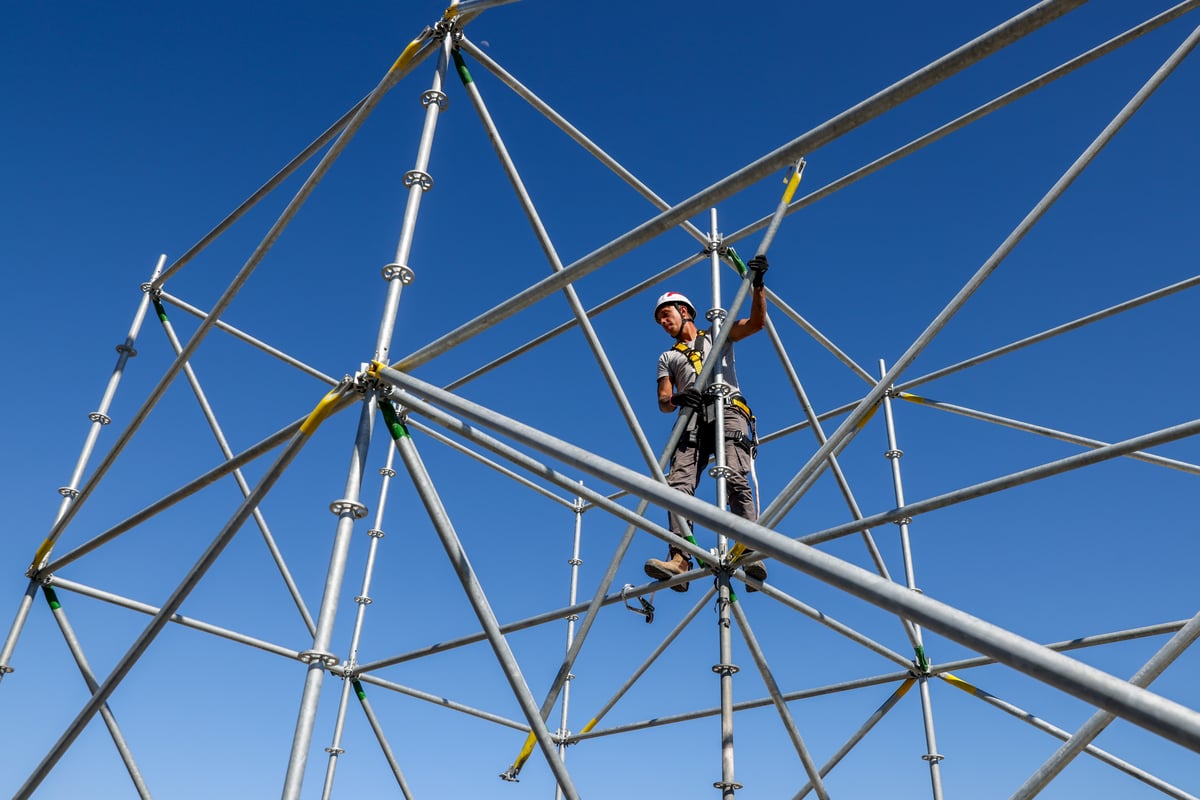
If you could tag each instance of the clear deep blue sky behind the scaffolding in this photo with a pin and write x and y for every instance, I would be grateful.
(133, 134)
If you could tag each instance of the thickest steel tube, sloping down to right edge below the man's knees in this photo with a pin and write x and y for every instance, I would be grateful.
(1138, 706)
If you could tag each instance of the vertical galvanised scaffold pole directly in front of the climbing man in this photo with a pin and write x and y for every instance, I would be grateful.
(716, 394)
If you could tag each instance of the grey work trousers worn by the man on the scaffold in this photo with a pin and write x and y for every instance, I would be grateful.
(692, 458)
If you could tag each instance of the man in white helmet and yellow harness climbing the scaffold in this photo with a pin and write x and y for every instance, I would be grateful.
(679, 368)
